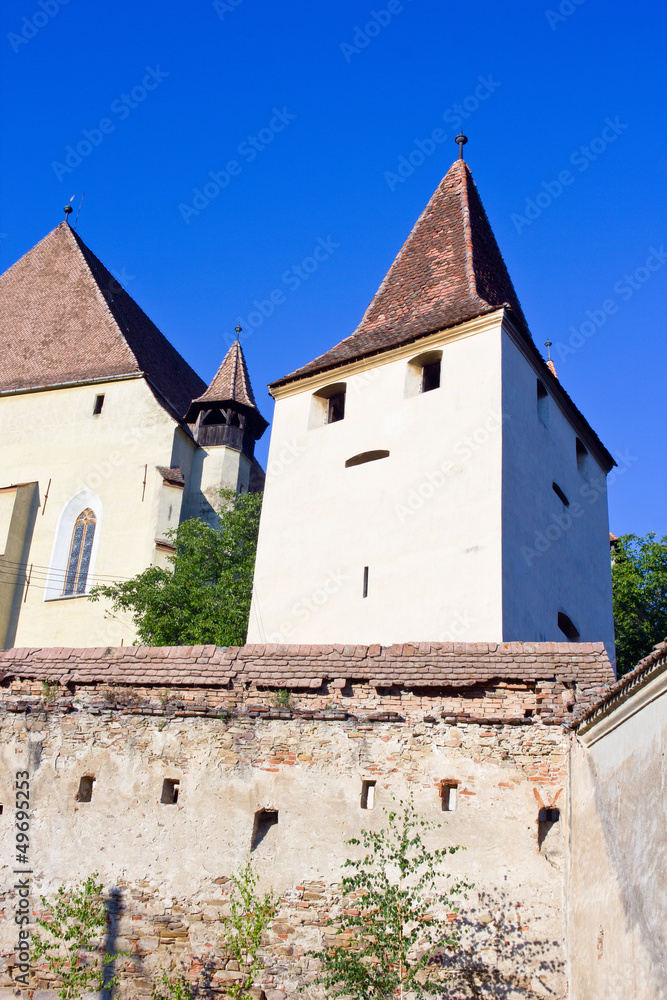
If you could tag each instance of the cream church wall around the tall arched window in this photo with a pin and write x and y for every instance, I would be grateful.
(52, 437)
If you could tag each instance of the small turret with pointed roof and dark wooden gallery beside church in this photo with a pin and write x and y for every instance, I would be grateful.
(225, 423)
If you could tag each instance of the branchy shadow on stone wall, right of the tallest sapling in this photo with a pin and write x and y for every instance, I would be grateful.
(501, 953)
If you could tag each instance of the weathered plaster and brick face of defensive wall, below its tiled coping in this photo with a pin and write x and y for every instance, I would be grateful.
(234, 753)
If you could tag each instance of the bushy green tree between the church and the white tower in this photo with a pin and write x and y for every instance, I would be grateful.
(204, 596)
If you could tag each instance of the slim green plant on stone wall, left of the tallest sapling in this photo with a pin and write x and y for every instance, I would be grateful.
(241, 939)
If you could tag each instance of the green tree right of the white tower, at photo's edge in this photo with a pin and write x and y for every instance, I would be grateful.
(639, 584)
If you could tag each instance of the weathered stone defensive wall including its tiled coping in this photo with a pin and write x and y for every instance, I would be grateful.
(164, 769)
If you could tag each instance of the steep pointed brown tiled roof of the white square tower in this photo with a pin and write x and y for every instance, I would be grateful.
(449, 270)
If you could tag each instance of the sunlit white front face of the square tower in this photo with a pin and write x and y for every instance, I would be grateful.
(425, 520)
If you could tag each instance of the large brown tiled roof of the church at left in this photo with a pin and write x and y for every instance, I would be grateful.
(65, 318)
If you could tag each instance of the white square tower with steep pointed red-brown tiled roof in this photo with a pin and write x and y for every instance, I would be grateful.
(440, 483)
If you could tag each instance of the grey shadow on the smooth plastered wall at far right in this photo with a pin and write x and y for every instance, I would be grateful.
(635, 830)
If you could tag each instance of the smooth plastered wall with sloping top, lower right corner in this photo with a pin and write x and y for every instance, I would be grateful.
(617, 878)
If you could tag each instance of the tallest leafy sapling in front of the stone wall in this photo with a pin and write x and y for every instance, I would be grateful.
(395, 913)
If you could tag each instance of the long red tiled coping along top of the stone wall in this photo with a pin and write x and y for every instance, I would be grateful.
(457, 665)
